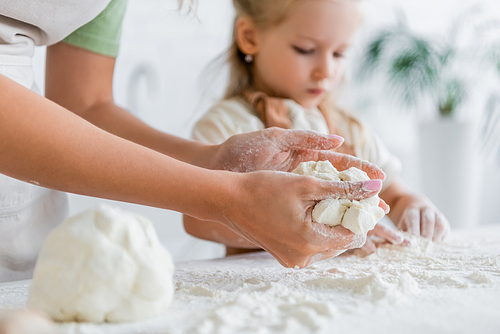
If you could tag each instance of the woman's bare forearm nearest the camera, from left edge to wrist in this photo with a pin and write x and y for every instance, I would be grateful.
(45, 144)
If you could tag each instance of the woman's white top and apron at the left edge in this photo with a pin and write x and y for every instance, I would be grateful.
(27, 212)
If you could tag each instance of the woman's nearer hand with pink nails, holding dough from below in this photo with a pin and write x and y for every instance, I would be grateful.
(273, 210)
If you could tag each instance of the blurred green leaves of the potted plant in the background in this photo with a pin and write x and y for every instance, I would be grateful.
(435, 67)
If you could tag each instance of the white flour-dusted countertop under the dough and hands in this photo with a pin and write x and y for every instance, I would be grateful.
(452, 287)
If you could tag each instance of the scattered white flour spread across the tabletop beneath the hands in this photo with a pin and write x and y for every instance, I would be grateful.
(313, 299)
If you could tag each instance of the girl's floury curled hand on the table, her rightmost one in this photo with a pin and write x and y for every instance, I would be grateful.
(419, 216)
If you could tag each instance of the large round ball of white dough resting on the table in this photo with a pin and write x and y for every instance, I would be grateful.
(102, 265)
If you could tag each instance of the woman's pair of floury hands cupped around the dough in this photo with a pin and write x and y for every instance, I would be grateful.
(273, 210)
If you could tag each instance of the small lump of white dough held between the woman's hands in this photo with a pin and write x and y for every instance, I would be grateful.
(357, 216)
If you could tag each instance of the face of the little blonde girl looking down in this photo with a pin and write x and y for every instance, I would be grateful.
(302, 57)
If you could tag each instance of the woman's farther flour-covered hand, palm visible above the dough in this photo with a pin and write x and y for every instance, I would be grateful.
(283, 150)
